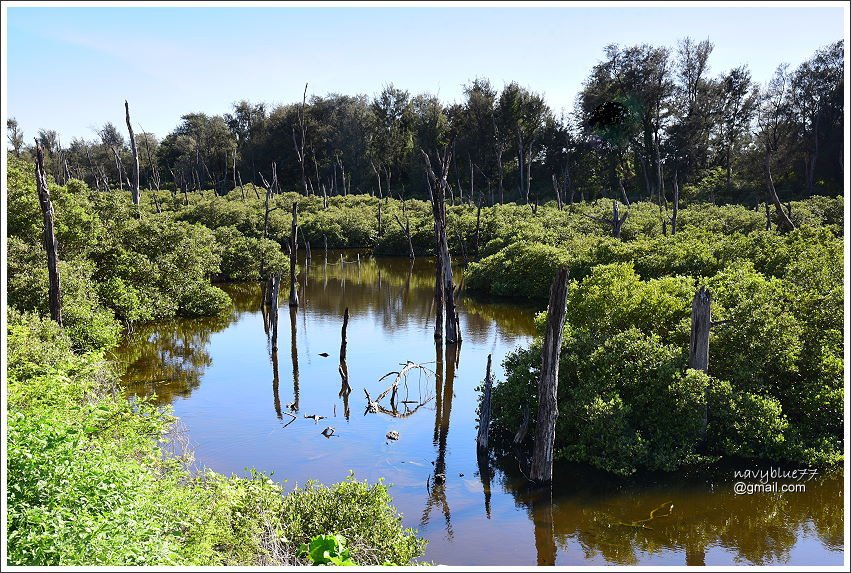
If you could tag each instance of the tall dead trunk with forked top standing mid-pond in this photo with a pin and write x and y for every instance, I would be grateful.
(439, 185)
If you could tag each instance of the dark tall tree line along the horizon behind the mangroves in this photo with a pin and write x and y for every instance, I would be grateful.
(647, 119)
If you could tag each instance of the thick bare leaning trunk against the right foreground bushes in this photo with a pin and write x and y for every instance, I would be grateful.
(542, 459)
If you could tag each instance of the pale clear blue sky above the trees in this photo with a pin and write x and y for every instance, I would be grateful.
(70, 69)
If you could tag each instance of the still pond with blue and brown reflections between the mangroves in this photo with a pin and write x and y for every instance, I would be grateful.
(233, 395)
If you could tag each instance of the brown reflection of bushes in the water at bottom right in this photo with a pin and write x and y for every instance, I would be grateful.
(597, 512)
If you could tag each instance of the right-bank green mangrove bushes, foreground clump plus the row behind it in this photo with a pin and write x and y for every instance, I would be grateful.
(774, 388)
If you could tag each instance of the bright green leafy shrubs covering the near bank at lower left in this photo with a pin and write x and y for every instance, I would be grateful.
(88, 482)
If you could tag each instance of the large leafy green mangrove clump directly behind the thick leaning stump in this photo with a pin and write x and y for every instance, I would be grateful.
(627, 400)
